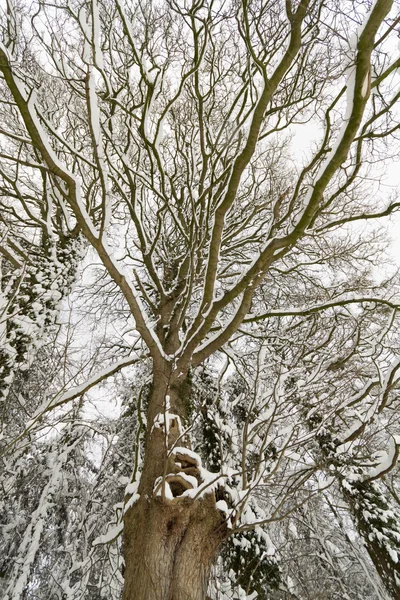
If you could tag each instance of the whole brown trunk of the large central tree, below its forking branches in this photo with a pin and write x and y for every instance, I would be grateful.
(170, 539)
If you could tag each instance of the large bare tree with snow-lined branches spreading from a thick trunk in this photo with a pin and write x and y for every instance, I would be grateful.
(157, 134)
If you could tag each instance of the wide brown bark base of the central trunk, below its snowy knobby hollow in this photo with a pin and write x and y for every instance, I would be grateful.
(169, 548)
